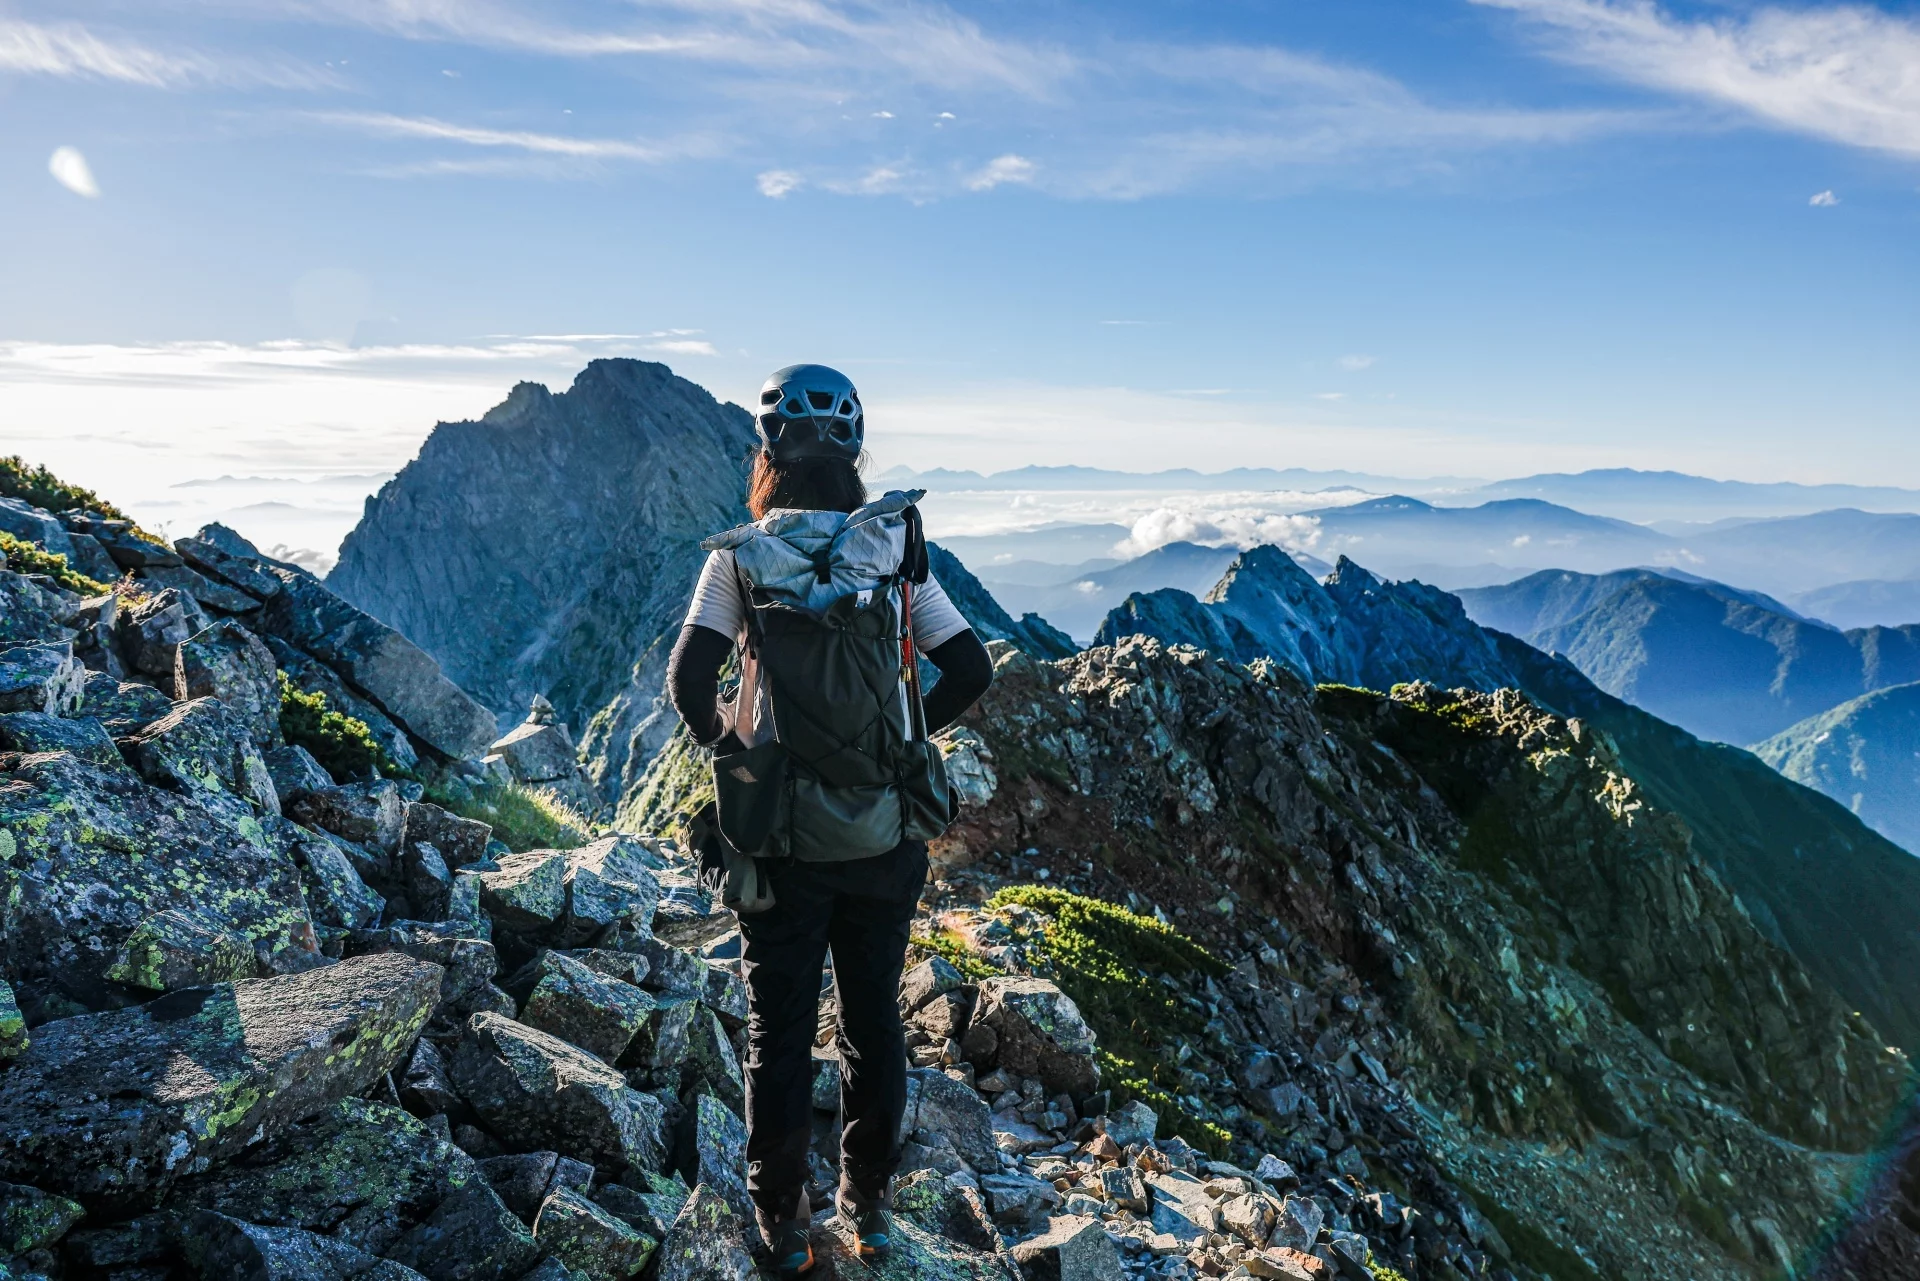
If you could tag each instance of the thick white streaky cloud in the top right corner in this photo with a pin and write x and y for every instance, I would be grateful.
(1844, 74)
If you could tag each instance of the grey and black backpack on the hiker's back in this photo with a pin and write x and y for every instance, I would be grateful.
(850, 771)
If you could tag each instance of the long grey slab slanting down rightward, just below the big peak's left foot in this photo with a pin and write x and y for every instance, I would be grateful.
(381, 664)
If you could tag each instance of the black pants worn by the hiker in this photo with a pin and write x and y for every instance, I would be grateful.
(863, 911)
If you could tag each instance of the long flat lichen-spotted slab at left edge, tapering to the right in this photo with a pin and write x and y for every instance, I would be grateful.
(114, 1109)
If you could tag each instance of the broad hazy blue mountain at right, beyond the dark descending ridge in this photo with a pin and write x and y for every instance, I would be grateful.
(1723, 664)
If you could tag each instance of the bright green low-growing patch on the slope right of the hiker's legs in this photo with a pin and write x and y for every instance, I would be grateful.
(1124, 975)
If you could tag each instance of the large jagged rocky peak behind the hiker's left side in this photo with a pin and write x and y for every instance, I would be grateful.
(550, 546)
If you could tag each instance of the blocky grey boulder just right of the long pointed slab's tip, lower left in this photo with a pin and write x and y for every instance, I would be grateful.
(539, 1092)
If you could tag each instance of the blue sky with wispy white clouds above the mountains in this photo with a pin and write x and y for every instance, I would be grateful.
(1479, 237)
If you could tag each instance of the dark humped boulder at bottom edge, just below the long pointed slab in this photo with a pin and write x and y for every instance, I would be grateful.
(379, 1180)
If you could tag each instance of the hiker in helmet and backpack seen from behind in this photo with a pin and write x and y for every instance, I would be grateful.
(827, 788)
